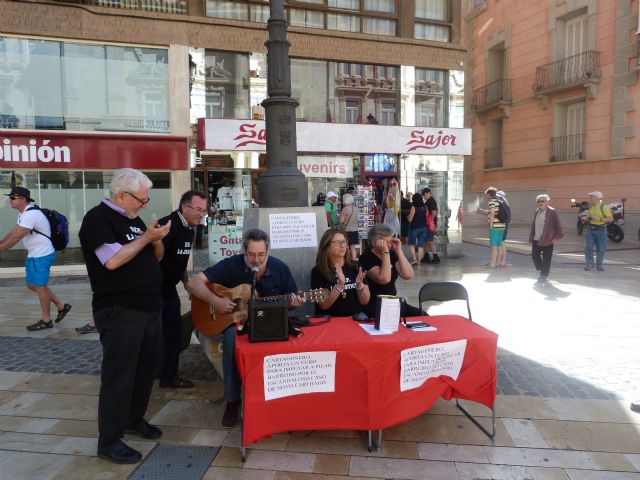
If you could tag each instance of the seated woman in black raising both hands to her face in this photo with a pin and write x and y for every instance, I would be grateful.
(384, 262)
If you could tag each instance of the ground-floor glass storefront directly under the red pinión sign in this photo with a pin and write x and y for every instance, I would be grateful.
(72, 193)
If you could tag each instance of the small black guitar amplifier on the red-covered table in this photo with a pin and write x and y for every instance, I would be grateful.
(268, 321)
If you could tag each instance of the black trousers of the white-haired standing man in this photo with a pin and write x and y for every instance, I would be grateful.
(130, 356)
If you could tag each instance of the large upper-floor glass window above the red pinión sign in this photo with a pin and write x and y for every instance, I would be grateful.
(54, 85)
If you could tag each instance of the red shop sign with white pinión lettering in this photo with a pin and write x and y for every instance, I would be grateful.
(86, 151)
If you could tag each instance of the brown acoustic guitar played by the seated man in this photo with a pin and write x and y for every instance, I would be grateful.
(210, 323)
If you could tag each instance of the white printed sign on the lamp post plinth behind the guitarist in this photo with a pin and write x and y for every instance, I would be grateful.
(293, 230)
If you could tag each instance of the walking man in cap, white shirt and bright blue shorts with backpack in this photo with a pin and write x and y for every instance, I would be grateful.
(34, 230)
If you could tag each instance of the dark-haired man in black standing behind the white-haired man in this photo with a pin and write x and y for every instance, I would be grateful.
(177, 248)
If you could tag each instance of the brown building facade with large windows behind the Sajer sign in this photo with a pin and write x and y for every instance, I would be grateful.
(116, 70)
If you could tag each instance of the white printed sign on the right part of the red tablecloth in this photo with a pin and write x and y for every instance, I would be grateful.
(419, 364)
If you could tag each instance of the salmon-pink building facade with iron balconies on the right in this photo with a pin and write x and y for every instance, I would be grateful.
(553, 100)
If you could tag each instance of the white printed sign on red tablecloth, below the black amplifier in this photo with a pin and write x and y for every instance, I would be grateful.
(297, 373)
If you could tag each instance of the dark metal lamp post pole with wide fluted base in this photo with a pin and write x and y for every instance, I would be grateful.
(282, 184)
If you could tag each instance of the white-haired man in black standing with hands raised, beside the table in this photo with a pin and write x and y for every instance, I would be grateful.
(122, 256)
